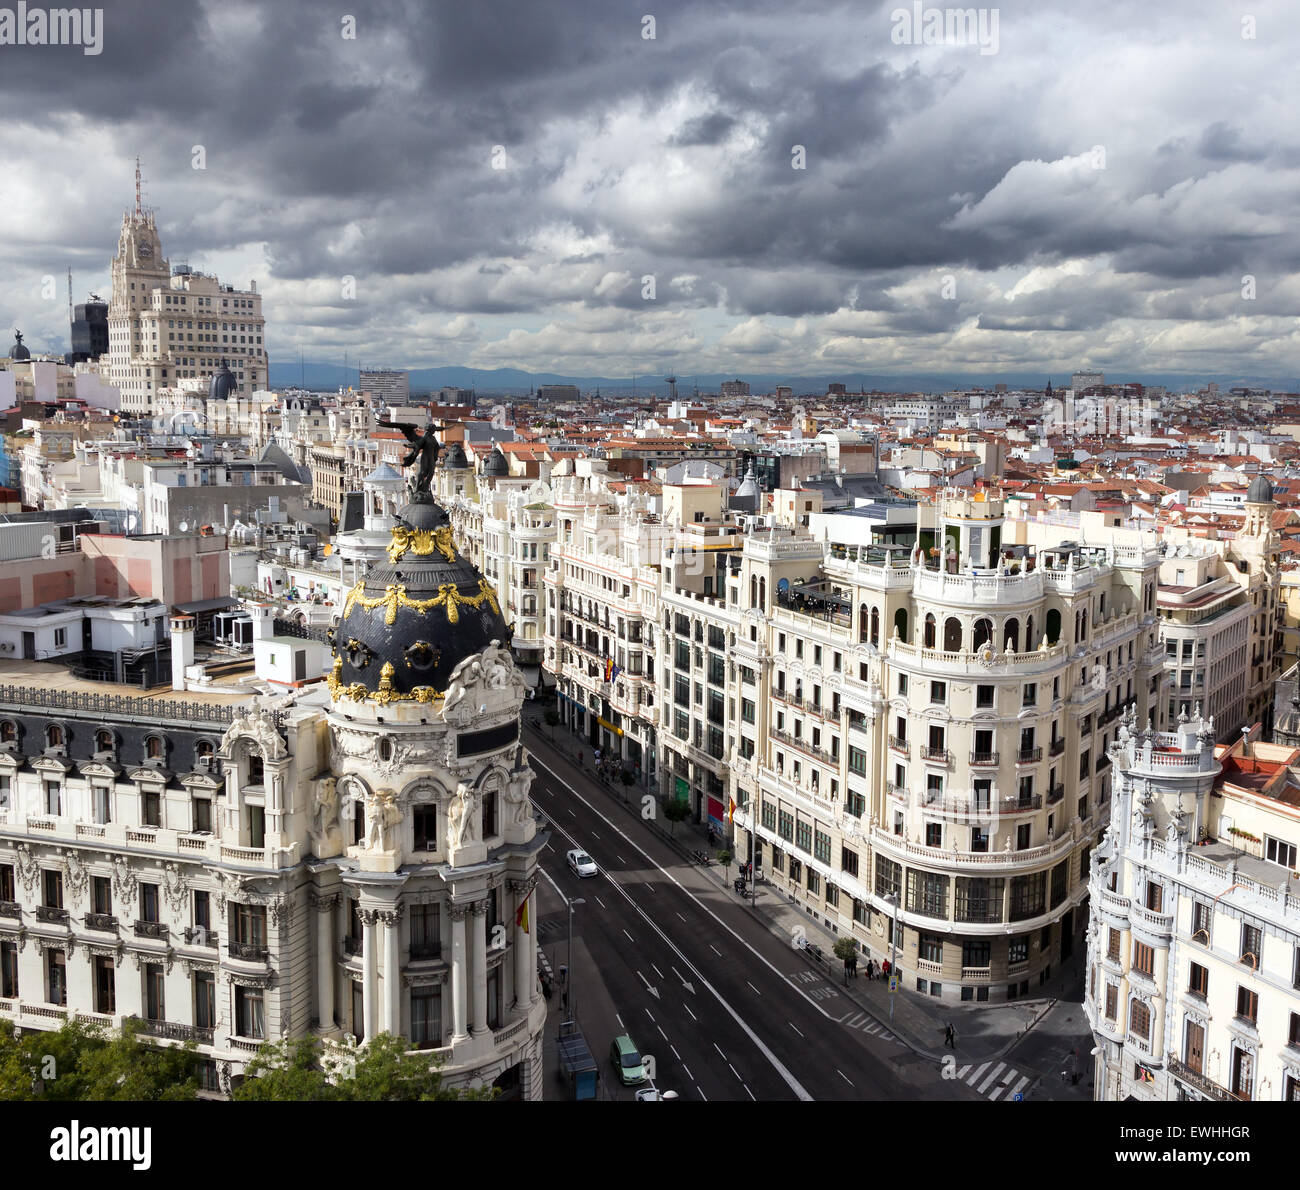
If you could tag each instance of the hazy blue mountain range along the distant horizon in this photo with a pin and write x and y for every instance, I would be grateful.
(515, 383)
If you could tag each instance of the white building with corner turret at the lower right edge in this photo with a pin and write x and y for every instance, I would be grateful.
(1194, 946)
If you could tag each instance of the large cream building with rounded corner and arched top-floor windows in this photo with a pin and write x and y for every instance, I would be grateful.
(921, 750)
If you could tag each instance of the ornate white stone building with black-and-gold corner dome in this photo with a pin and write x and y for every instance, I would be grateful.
(349, 859)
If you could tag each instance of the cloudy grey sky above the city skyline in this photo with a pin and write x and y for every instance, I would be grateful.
(1104, 184)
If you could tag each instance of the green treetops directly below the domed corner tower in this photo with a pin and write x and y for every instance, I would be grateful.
(384, 1071)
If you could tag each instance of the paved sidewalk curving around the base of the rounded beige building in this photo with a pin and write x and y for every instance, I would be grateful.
(985, 1032)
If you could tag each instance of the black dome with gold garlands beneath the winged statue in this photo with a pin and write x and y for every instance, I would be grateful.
(414, 618)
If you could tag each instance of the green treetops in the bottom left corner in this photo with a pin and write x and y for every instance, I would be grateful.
(86, 1062)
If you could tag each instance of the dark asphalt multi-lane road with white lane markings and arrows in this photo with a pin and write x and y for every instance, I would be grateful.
(723, 1007)
